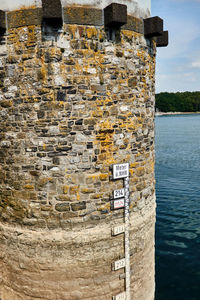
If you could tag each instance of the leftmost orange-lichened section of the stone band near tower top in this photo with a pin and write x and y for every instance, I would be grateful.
(25, 17)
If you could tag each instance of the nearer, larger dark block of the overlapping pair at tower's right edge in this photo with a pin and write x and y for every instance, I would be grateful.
(153, 27)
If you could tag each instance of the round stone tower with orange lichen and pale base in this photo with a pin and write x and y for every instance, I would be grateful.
(76, 96)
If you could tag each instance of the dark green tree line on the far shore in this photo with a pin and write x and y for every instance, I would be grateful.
(178, 102)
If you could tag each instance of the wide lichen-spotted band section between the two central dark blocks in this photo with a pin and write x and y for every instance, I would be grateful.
(83, 16)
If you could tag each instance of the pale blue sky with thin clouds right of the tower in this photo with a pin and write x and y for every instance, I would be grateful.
(178, 65)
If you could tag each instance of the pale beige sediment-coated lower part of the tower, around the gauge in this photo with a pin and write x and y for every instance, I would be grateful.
(63, 265)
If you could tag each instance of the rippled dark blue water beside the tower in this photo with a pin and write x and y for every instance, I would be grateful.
(178, 207)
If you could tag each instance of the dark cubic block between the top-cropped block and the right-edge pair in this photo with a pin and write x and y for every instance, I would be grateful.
(115, 15)
